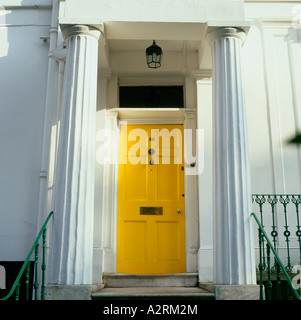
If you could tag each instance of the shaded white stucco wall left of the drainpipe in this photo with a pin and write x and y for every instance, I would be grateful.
(23, 76)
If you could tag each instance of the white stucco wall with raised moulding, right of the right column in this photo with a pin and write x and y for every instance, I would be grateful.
(272, 64)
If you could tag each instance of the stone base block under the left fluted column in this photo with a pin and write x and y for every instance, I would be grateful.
(68, 292)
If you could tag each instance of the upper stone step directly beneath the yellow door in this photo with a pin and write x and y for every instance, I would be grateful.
(111, 280)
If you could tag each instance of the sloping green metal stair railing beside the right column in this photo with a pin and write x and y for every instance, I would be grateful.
(265, 265)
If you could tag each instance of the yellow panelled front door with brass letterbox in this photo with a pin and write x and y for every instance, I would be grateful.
(151, 208)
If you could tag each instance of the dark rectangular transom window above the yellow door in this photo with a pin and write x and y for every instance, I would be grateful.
(151, 97)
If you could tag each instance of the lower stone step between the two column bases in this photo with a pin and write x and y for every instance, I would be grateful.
(153, 293)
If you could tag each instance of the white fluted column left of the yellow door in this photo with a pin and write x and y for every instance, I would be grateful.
(72, 240)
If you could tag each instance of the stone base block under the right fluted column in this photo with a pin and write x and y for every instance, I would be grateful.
(237, 292)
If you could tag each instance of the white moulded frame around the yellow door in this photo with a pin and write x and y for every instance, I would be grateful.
(114, 118)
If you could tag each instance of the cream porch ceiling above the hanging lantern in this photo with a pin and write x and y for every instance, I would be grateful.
(137, 36)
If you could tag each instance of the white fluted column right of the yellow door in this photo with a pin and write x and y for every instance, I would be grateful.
(233, 235)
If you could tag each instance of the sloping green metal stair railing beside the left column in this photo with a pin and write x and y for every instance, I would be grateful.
(25, 269)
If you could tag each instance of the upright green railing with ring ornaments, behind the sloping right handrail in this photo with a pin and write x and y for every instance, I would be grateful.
(279, 215)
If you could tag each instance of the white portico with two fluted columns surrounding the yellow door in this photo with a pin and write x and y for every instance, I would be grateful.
(204, 57)
